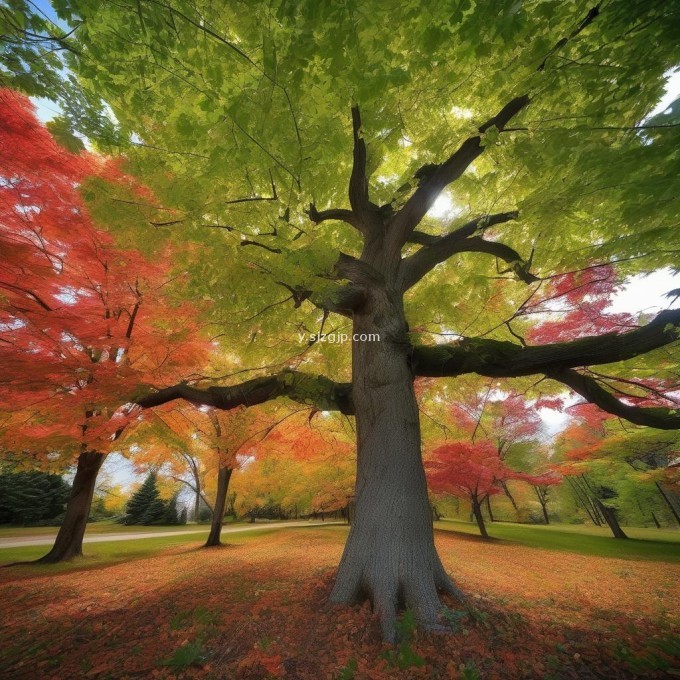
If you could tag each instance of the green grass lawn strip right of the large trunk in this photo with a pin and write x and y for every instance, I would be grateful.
(646, 544)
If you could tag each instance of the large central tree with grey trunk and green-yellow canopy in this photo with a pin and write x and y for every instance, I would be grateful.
(255, 125)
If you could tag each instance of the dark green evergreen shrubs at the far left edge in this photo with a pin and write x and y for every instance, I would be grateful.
(31, 497)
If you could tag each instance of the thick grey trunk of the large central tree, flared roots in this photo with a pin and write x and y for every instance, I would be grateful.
(389, 556)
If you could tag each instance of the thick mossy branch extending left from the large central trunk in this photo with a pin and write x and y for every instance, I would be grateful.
(315, 390)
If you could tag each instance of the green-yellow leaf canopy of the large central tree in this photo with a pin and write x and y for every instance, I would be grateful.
(215, 105)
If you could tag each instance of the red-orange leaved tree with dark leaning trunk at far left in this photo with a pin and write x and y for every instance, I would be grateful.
(84, 323)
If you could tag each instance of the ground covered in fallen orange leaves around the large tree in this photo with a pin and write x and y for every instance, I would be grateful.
(258, 609)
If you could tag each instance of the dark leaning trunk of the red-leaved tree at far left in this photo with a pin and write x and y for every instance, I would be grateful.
(69, 541)
